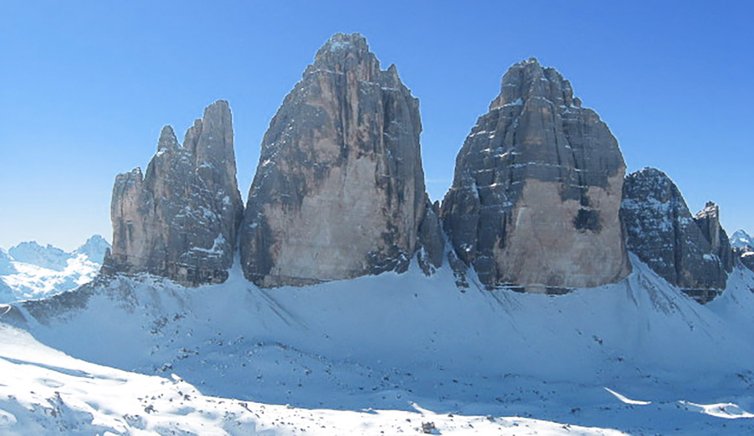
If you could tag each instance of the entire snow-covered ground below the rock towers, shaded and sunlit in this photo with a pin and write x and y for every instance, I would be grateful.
(379, 354)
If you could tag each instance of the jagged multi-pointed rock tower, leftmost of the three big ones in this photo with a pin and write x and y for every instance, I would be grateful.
(179, 220)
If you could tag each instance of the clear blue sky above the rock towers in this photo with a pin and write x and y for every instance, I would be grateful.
(85, 86)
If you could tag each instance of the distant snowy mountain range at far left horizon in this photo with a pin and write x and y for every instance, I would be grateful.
(36, 271)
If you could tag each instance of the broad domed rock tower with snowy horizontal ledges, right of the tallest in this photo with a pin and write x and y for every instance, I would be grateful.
(536, 194)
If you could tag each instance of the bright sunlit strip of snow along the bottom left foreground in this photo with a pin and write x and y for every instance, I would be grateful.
(46, 392)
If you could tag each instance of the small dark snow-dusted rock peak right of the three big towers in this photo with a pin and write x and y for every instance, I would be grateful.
(688, 252)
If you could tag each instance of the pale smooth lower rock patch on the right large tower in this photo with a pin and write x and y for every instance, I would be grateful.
(545, 251)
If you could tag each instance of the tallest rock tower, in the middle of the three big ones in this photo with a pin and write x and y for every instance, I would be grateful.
(339, 190)
